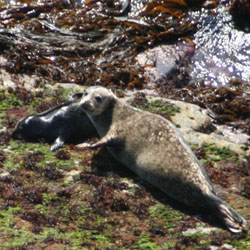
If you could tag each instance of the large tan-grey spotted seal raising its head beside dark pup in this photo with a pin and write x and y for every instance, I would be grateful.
(154, 149)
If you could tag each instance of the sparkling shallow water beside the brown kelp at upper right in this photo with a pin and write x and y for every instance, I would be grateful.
(222, 50)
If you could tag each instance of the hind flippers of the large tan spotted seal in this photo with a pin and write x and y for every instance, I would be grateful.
(229, 217)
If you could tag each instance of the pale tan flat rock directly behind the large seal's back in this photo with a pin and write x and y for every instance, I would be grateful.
(196, 126)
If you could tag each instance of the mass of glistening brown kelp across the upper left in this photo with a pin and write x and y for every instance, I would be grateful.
(96, 42)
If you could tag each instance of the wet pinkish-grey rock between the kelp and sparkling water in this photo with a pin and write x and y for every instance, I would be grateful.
(166, 64)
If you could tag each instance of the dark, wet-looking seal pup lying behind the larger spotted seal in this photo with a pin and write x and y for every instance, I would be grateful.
(64, 124)
